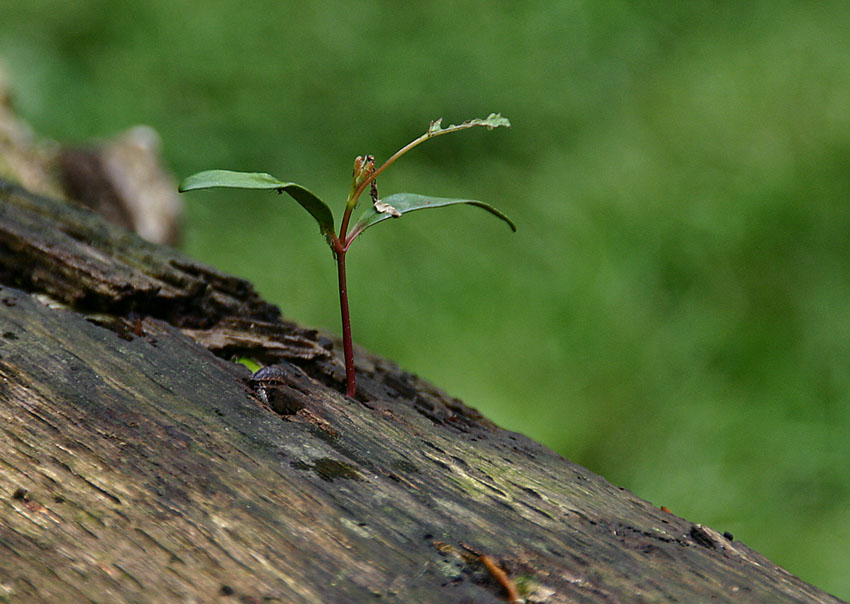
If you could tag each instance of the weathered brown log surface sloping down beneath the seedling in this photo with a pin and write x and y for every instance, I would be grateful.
(138, 464)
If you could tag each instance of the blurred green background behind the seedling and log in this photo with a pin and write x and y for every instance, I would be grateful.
(674, 312)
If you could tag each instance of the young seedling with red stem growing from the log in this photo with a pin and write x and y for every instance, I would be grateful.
(363, 178)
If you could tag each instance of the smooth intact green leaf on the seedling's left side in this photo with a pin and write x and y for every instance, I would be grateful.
(260, 180)
